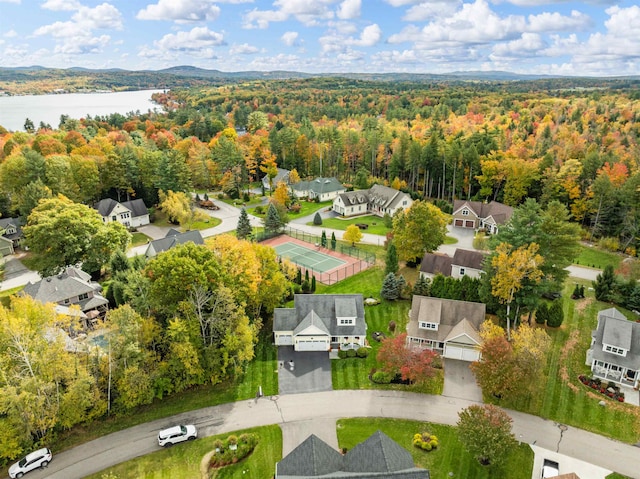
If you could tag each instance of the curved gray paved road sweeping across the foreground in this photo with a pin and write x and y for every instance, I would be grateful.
(293, 409)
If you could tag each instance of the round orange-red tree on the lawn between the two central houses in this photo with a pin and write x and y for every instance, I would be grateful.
(398, 359)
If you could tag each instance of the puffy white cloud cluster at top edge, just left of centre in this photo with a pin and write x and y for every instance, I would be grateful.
(307, 12)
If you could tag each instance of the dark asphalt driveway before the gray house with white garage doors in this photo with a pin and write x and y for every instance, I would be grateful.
(311, 371)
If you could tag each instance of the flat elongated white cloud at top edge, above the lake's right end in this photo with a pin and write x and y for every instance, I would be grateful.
(180, 11)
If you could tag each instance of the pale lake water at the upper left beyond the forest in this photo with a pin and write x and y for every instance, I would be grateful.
(48, 108)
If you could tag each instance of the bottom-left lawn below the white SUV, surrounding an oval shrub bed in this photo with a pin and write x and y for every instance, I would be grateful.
(183, 460)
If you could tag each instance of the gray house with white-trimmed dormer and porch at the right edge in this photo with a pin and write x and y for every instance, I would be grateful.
(614, 354)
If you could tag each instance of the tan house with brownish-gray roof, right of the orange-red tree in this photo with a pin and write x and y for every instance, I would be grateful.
(448, 327)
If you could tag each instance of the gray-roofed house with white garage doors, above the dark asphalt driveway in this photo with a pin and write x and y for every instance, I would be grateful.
(321, 322)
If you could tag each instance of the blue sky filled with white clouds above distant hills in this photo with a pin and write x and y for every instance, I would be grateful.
(595, 38)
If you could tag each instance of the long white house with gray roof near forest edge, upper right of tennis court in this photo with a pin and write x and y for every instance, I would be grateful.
(378, 200)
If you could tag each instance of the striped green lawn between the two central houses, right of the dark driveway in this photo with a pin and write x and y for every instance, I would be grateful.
(353, 373)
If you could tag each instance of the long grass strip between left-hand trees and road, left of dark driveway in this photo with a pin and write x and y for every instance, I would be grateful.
(260, 372)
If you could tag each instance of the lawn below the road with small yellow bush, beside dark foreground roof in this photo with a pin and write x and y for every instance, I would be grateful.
(450, 456)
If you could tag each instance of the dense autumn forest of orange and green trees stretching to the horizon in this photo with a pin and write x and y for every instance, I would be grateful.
(575, 141)
